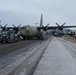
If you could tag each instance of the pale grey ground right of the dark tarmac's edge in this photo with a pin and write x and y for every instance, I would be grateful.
(59, 59)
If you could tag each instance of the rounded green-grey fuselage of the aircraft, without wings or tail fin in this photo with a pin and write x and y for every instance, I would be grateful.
(30, 32)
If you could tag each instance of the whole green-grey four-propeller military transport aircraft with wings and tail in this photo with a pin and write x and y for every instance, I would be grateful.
(28, 31)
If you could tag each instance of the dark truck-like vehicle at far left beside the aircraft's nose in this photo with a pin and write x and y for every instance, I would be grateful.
(9, 36)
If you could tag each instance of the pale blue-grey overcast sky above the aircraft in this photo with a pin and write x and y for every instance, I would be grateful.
(28, 12)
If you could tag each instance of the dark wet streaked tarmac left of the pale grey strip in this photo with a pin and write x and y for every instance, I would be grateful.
(14, 57)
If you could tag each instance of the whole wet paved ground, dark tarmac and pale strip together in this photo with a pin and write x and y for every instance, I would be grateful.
(59, 58)
